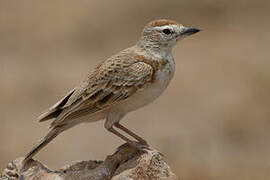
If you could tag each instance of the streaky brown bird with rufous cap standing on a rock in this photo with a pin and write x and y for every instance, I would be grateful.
(125, 82)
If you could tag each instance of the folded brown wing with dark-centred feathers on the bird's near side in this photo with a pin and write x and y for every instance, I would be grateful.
(112, 82)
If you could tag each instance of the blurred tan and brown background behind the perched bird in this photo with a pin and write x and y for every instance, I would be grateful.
(211, 123)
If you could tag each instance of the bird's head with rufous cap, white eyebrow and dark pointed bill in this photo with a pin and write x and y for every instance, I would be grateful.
(164, 34)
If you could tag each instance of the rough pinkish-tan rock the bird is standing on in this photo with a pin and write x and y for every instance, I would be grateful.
(126, 163)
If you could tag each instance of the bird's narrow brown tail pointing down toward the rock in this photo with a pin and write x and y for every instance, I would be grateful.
(50, 136)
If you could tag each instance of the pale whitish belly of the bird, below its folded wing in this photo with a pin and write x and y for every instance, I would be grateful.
(150, 93)
